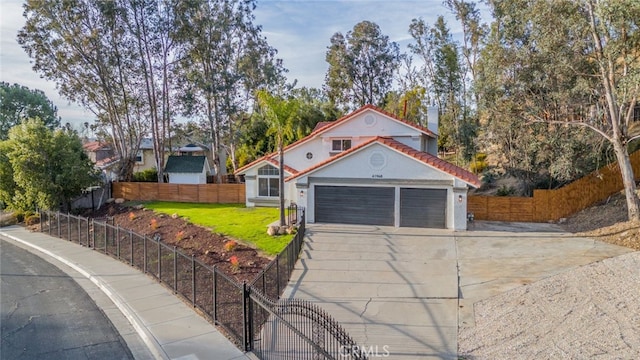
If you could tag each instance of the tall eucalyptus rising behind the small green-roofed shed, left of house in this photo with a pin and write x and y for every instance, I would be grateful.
(226, 60)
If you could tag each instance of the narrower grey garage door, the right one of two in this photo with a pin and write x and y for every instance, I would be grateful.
(423, 207)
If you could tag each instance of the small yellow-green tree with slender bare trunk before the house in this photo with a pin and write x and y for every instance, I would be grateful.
(280, 113)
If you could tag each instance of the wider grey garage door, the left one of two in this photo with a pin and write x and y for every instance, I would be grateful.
(354, 205)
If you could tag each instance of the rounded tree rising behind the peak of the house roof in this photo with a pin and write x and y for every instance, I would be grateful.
(361, 66)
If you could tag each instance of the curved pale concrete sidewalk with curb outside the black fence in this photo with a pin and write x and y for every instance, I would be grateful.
(153, 322)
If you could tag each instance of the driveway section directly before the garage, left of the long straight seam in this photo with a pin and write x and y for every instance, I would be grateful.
(395, 290)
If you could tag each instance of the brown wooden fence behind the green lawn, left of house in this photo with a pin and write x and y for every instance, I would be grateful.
(201, 193)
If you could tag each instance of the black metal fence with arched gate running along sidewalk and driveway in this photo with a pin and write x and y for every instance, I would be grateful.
(247, 313)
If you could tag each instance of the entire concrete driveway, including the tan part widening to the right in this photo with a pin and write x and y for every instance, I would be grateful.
(403, 292)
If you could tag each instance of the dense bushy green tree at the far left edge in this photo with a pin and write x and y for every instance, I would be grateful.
(44, 168)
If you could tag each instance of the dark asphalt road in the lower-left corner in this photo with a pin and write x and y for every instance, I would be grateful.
(45, 314)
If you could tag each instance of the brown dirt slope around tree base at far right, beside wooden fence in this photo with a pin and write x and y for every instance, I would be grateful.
(606, 221)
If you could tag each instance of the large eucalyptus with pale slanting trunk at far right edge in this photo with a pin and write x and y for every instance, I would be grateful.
(567, 63)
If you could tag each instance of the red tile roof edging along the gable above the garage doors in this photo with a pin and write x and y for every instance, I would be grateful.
(423, 157)
